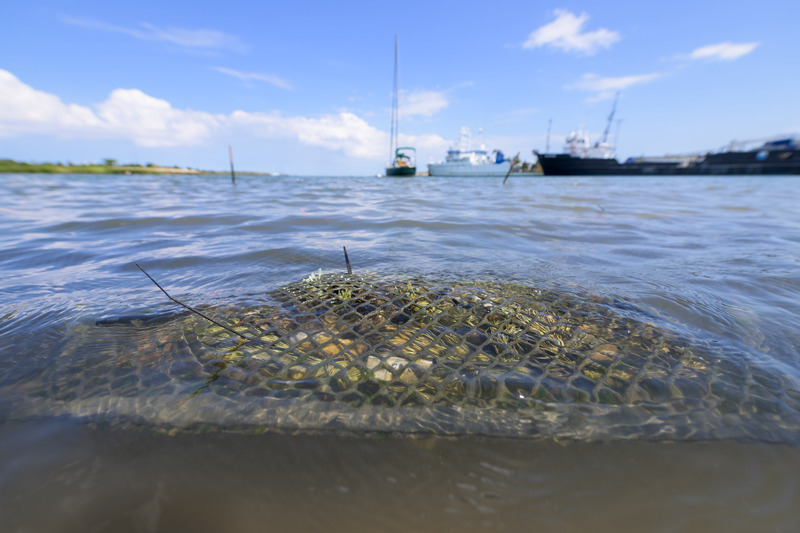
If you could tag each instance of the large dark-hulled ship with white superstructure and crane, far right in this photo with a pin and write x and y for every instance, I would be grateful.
(780, 155)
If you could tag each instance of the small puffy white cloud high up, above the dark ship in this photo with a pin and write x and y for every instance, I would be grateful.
(565, 33)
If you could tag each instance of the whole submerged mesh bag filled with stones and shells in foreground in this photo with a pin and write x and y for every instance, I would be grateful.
(369, 354)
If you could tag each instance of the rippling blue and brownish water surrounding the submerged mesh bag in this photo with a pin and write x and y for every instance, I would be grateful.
(716, 257)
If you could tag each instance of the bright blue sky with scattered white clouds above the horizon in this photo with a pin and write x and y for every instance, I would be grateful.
(305, 87)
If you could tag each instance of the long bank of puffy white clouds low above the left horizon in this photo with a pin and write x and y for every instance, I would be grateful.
(132, 115)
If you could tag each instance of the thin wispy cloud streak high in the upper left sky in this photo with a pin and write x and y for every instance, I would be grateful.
(199, 39)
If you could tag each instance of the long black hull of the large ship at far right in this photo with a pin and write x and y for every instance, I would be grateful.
(750, 162)
